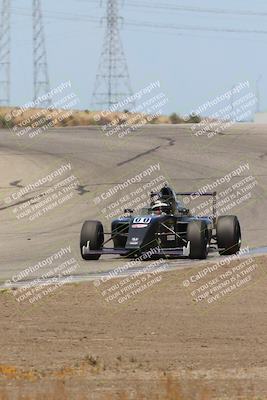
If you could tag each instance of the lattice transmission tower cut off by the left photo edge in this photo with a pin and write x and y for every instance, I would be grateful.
(5, 54)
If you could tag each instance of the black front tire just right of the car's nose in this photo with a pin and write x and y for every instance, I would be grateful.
(197, 235)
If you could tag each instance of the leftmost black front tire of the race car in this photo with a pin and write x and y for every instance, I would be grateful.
(92, 232)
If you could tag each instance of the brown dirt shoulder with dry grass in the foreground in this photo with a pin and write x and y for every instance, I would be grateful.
(165, 338)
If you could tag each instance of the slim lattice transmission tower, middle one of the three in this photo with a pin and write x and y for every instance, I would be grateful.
(40, 71)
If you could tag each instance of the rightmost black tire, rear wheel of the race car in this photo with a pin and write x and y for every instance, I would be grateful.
(228, 235)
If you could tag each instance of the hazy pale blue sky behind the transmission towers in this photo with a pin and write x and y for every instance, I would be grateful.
(192, 66)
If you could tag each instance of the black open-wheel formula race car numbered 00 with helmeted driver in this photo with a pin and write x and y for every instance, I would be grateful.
(164, 229)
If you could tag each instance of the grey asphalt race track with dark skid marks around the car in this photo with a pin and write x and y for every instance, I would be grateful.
(100, 163)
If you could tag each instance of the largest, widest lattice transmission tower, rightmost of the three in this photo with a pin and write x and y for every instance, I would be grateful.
(112, 80)
